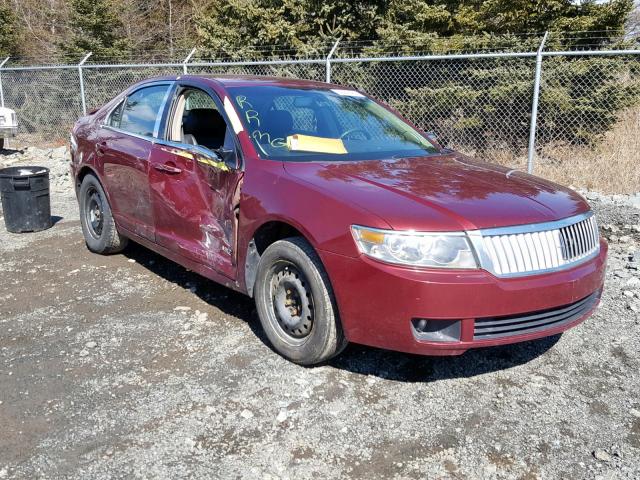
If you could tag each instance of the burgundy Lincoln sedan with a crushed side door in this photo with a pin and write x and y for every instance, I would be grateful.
(341, 219)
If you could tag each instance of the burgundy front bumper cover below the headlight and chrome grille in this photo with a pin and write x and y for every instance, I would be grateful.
(377, 302)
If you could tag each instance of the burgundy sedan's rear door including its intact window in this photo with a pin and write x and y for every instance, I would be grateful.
(125, 150)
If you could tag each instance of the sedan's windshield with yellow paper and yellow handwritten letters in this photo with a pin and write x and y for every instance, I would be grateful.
(296, 124)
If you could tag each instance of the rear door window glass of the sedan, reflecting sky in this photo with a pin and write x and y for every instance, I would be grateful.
(142, 108)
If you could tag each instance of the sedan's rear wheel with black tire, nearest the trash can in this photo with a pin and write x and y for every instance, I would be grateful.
(98, 226)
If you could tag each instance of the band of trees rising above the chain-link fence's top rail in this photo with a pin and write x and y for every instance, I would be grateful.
(64, 29)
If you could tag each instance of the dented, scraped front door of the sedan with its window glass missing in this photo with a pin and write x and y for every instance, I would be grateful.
(193, 191)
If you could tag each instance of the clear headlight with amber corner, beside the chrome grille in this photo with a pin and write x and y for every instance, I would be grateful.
(438, 250)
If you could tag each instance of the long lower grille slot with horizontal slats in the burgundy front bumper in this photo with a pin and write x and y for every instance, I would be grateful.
(505, 326)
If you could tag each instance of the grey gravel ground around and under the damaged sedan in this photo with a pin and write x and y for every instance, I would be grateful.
(131, 366)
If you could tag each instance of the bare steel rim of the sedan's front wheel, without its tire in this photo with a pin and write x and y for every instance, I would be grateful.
(291, 308)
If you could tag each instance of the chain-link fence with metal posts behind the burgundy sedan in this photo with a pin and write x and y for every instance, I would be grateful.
(481, 104)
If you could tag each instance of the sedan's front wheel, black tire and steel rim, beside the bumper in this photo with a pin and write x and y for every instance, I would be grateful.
(291, 278)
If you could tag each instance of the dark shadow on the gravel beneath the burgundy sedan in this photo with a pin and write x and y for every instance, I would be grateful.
(358, 359)
